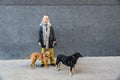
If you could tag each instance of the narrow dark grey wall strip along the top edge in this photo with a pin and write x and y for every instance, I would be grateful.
(59, 2)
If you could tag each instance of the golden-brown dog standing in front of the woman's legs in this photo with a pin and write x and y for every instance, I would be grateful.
(44, 57)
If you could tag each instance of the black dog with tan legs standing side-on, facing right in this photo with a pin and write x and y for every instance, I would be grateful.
(68, 61)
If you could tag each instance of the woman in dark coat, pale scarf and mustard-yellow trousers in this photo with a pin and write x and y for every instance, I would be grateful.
(47, 38)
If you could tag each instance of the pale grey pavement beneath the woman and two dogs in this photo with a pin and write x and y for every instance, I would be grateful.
(89, 68)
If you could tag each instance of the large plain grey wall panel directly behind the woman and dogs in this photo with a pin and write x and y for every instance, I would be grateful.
(91, 30)
